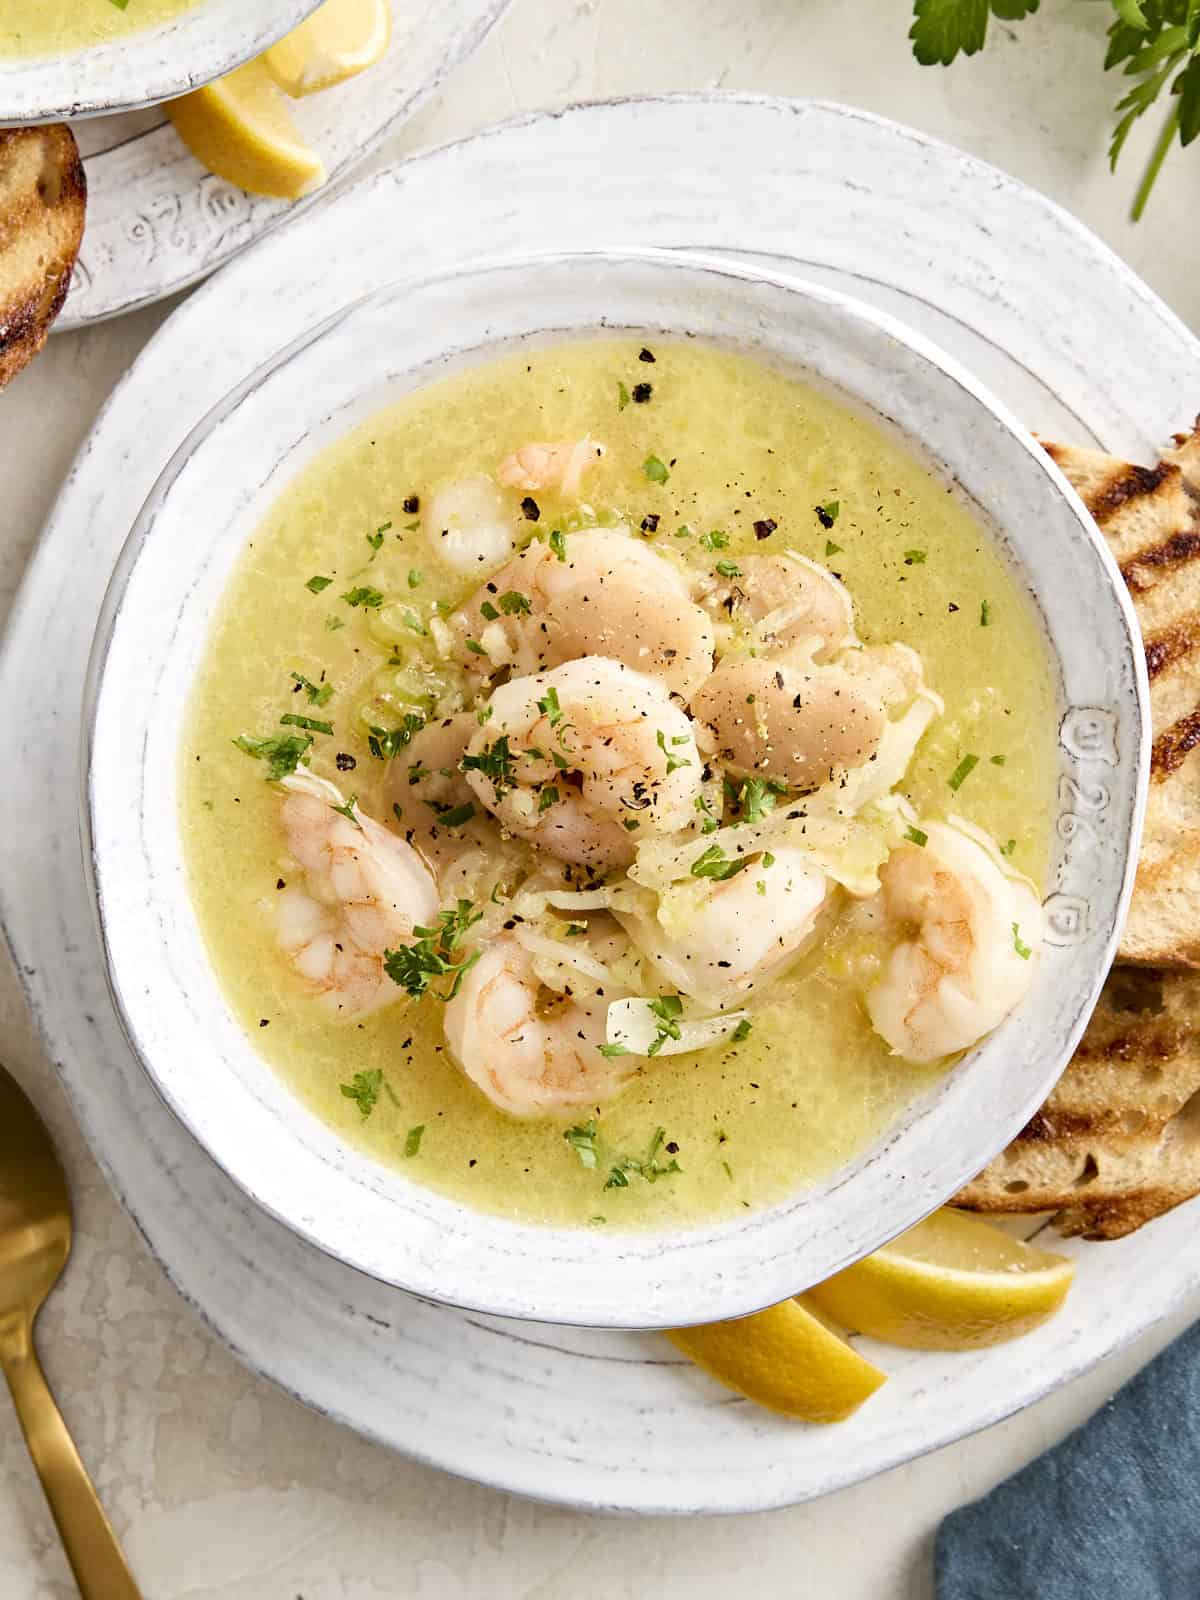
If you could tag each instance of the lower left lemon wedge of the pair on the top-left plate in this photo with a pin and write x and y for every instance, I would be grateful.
(241, 129)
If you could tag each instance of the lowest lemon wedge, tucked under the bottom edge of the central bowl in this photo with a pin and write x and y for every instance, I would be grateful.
(788, 1361)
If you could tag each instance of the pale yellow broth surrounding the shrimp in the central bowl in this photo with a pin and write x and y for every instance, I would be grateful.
(812, 1086)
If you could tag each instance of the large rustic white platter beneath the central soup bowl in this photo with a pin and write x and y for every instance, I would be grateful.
(1002, 279)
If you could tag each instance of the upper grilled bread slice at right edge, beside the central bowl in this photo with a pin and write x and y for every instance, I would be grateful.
(1151, 519)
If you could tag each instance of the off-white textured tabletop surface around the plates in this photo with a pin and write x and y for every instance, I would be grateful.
(222, 1486)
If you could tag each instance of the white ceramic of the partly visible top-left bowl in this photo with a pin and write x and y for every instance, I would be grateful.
(145, 68)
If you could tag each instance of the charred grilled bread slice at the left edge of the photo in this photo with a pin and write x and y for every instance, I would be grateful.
(42, 204)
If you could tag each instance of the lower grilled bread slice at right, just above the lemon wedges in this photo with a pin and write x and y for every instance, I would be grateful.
(1119, 1140)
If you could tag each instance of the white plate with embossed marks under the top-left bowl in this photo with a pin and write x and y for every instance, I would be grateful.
(158, 222)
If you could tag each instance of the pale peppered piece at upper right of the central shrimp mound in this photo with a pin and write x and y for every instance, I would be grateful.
(793, 602)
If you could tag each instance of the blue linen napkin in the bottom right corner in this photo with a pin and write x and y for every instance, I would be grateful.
(1110, 1514)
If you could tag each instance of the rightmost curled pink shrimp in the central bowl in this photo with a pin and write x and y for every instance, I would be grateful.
(972, 930)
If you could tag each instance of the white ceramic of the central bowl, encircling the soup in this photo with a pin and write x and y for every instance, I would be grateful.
(153, 634)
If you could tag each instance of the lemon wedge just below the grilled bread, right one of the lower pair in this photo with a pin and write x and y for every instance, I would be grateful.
(950, 1284)
